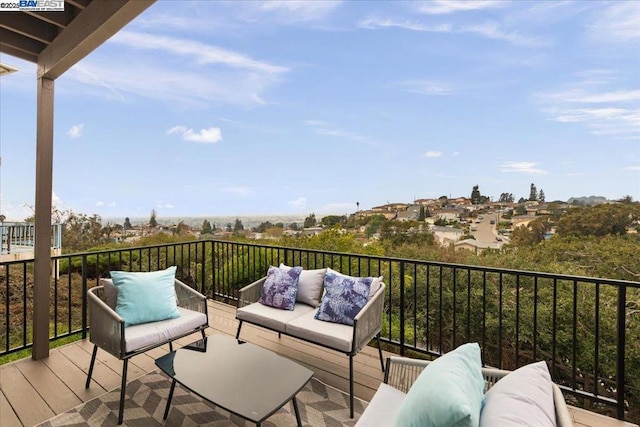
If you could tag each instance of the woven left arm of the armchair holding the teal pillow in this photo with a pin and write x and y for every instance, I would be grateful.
(106, 326)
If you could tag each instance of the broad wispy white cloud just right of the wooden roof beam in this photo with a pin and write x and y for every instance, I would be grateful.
(175, 70)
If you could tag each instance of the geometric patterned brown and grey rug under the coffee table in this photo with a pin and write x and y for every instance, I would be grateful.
(319, 405)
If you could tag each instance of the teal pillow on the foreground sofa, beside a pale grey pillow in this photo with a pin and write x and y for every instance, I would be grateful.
(449, 392)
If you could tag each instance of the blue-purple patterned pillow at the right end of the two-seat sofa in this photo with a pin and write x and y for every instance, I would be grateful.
(344, 297)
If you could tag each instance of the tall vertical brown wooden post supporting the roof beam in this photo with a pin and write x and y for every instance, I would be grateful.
(42, 245)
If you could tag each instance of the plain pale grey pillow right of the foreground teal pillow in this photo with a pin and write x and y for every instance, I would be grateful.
(522, 398)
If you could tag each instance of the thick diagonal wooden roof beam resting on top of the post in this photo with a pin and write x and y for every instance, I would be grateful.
(93, 26)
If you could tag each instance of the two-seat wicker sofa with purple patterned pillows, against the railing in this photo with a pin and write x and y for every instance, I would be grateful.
(310, 317)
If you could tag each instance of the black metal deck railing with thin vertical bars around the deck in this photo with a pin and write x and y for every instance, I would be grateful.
(584, 327)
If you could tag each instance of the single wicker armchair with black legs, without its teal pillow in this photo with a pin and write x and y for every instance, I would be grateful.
(108, 330)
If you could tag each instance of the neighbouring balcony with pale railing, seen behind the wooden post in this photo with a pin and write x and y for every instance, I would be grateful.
(18, 239)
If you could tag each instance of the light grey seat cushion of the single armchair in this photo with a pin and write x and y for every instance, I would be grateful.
(144, 334)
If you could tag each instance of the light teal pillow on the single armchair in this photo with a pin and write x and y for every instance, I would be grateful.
(145, 296)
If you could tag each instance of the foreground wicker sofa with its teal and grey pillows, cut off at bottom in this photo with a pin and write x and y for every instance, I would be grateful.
(524, 397)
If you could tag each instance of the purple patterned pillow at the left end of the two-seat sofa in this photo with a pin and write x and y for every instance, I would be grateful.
(280, 288)
